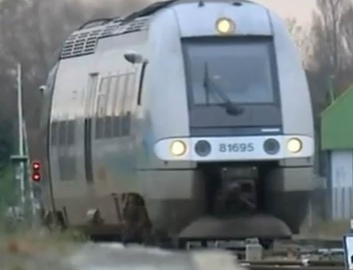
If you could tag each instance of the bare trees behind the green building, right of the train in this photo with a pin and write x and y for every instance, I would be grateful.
(329, 55)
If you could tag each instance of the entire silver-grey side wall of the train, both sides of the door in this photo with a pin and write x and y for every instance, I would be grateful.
(82, 98)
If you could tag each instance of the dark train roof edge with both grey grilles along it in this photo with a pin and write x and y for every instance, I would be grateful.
(84, 40)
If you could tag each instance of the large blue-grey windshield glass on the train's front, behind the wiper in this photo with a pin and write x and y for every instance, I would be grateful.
(241, 68)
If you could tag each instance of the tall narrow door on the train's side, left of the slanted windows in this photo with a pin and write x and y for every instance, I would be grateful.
(88, 130)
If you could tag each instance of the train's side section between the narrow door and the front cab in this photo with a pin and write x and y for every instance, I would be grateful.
(116, 139)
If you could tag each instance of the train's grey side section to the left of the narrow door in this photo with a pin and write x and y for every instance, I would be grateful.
(66, 144)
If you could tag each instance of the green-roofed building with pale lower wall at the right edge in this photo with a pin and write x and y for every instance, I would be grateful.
(337, 142)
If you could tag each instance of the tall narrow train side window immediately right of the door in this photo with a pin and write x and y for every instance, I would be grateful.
(100, 107)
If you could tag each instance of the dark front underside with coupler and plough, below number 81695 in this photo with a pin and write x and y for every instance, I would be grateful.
(241, 204)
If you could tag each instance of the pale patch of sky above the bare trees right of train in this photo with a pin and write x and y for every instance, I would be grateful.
(298, 9)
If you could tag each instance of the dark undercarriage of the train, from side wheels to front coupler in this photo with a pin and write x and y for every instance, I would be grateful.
(240, 202)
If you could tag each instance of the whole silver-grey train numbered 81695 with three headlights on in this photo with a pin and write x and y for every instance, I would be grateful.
(187, 119)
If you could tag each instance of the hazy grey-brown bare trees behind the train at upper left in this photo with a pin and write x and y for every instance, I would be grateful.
(32, 33)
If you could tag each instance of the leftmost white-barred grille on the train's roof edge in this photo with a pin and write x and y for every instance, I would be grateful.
(80, 44)
